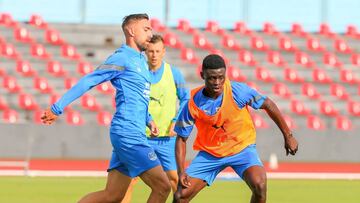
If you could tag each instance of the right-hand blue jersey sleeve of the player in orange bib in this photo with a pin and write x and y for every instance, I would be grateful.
(245, 95)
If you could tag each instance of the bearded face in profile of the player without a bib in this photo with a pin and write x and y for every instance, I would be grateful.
(143, 34)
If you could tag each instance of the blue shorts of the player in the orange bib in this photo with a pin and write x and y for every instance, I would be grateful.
(206, 166)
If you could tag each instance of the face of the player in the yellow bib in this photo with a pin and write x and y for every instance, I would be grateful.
(155, 53)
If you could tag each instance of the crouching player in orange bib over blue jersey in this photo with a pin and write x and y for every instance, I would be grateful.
(226, 134)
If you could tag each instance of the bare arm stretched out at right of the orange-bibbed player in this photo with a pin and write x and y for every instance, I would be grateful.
(291, 144)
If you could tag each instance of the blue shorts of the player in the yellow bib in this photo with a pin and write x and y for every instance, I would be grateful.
(164, 148)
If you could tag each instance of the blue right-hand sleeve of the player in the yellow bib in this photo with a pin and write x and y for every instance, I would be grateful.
(182, 92)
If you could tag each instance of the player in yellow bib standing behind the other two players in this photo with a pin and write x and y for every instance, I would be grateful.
(167, 86)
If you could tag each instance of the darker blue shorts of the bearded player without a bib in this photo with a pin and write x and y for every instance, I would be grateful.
(134, 160)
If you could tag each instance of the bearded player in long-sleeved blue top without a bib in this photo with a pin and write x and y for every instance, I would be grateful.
(132, 156)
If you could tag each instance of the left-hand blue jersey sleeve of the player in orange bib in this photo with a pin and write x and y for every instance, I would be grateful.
(185, 122)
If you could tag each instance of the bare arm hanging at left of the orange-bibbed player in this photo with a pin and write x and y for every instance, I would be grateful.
(180, 153)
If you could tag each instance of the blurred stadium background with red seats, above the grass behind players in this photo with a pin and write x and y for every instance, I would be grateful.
(305, 55)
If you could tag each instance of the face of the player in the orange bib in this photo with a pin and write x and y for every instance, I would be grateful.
(214, 81)
